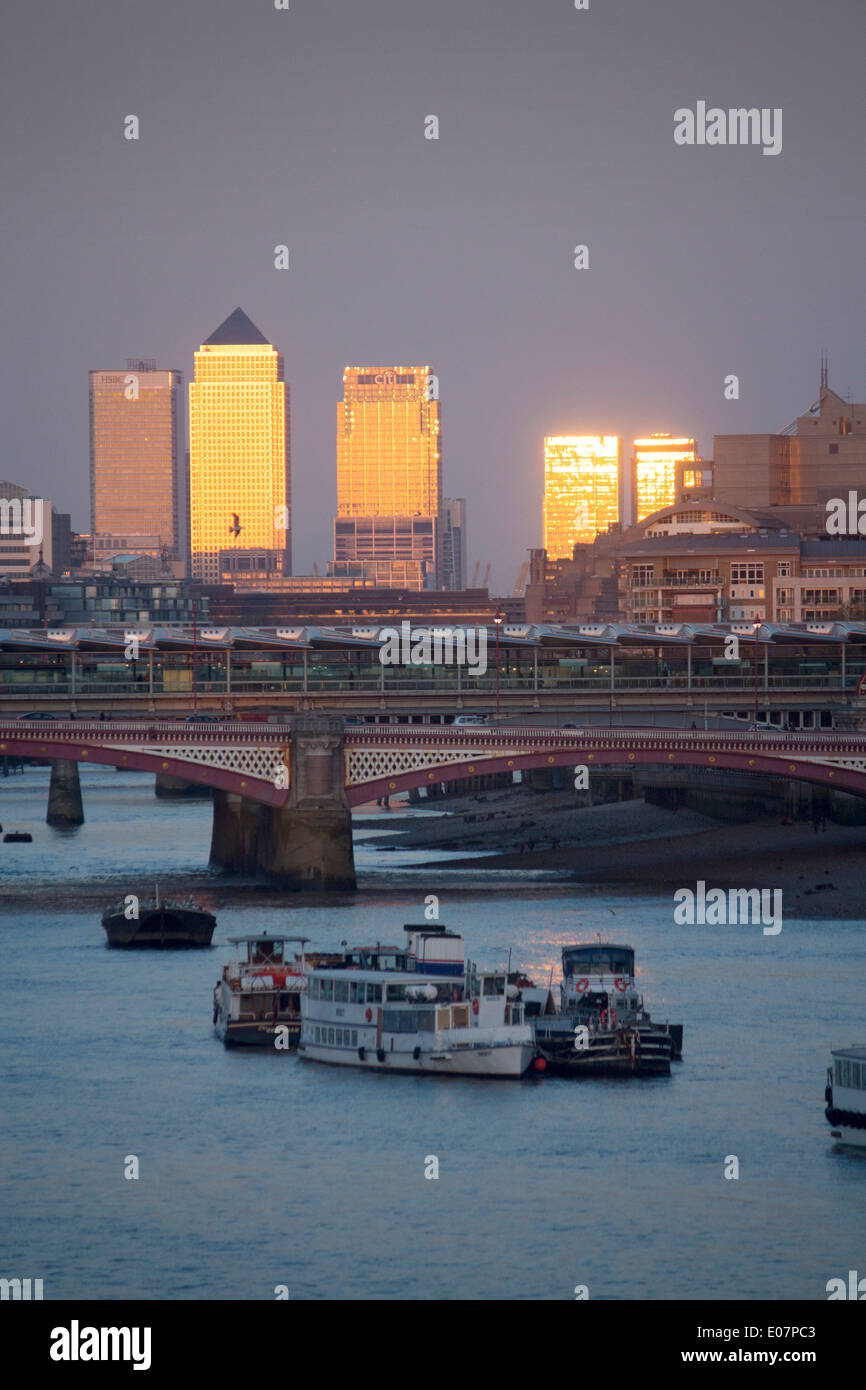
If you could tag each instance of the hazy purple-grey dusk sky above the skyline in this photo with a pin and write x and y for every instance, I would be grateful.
(305, 127)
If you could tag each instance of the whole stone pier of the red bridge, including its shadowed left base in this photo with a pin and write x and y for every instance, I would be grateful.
(307, 844)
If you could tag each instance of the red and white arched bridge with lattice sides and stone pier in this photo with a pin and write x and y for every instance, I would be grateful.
(284, 793)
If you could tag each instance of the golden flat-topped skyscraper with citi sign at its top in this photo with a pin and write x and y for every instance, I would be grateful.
(390, 476)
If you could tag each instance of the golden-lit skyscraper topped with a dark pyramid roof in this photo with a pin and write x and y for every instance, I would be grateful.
(240, 472)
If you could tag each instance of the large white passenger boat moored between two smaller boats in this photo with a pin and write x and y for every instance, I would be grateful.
(419, 1007)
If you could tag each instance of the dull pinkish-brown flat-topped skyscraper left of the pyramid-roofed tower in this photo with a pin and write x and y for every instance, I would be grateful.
(136, 429)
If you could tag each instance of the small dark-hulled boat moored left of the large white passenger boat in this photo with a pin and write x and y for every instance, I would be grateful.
(258, 996)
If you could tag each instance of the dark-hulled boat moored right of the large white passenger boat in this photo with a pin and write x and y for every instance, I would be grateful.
(603, 1028)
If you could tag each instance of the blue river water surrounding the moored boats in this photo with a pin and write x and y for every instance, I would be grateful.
(261, 1171)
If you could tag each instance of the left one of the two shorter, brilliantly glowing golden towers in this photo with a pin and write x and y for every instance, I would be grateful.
(582, 490)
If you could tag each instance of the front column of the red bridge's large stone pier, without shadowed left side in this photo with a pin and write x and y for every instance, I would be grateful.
(308, 843)
